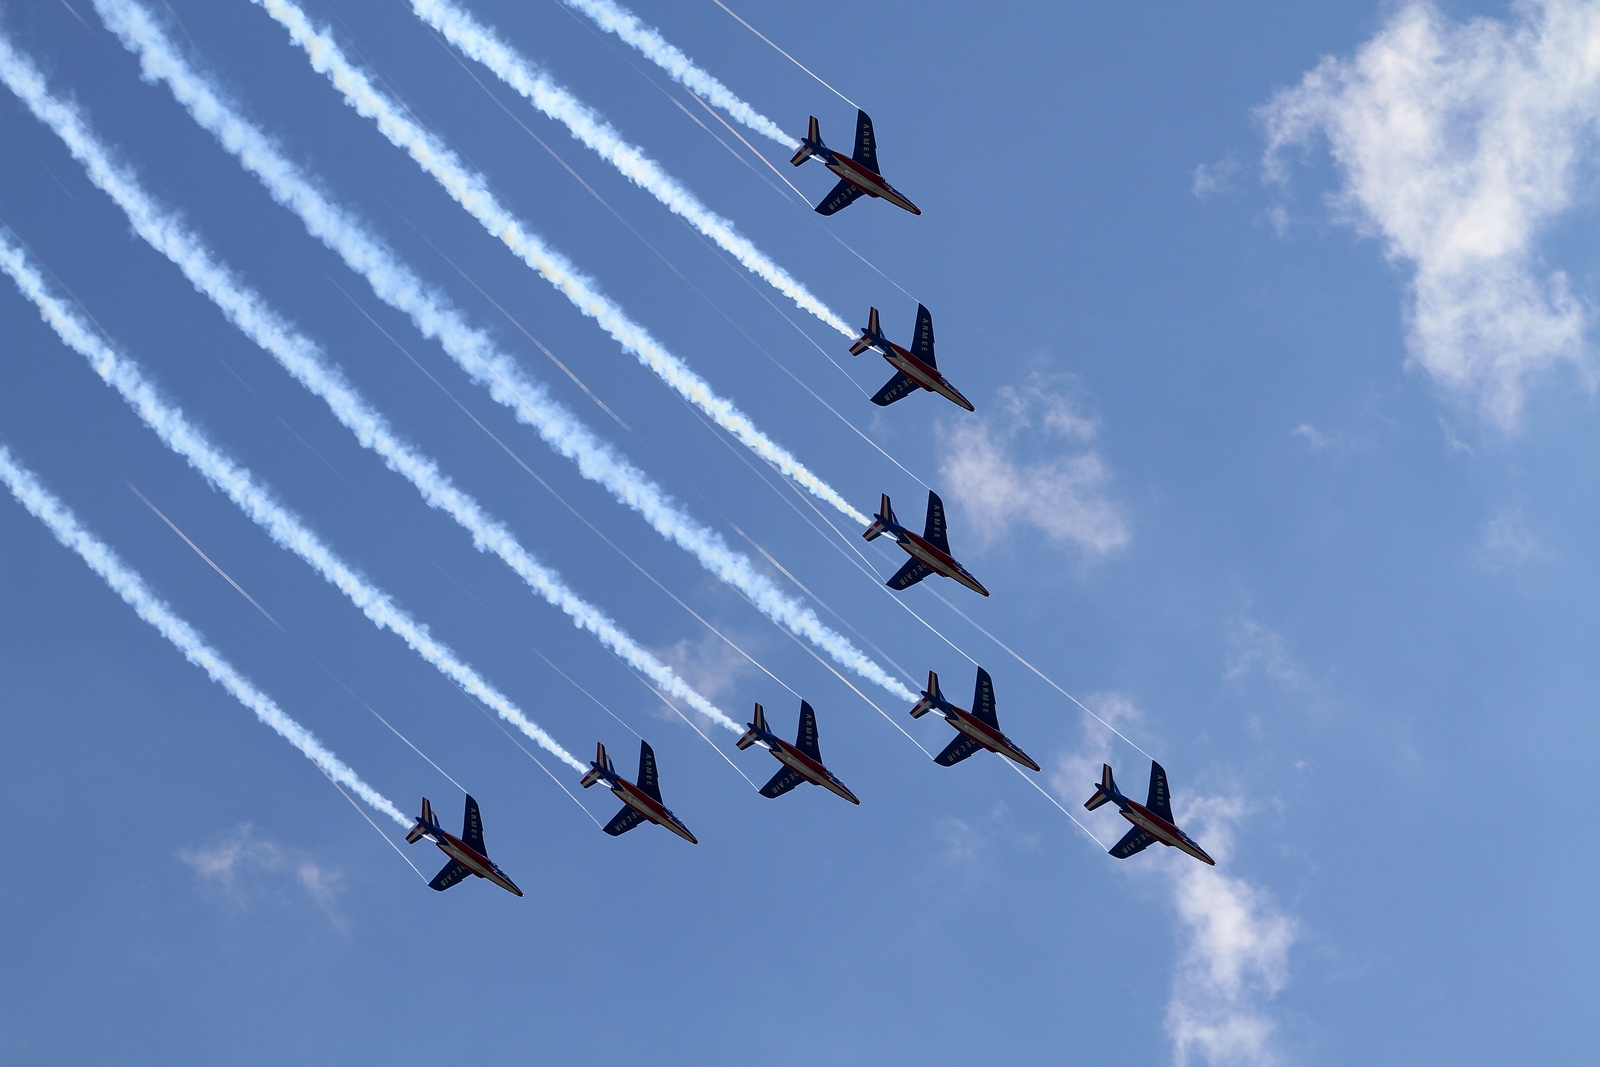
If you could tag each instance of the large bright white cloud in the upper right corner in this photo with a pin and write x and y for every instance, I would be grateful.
(1458, 146)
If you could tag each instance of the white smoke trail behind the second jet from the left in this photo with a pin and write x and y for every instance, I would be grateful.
(241, 487)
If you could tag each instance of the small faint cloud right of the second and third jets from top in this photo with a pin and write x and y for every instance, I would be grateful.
(1063, 495)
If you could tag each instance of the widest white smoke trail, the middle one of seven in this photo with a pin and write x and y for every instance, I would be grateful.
(473, 350)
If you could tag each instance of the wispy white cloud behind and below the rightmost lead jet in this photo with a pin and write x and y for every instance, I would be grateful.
(1234, 954)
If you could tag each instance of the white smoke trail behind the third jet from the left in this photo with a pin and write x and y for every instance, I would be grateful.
(302, 358)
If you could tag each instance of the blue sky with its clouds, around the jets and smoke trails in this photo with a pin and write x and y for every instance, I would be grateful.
(1279, 326)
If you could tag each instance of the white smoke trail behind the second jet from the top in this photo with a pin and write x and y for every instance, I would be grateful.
(482, 44)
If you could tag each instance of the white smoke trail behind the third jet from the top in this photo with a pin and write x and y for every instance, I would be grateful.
(471, 191)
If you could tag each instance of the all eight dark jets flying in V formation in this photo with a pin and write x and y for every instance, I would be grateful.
(977, 729)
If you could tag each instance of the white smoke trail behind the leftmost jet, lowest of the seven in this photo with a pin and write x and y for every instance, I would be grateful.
(127, 585)
